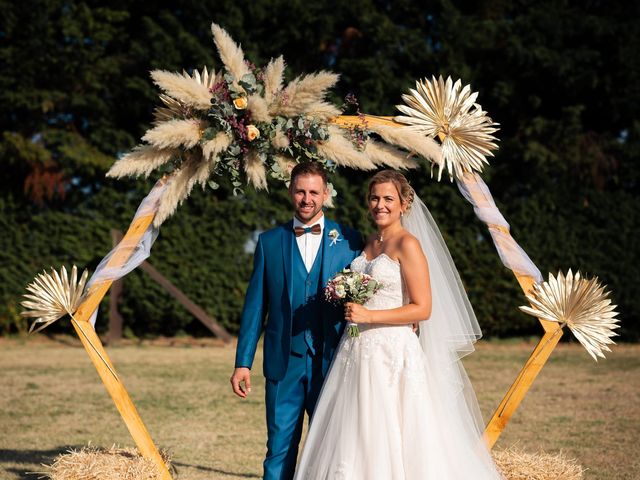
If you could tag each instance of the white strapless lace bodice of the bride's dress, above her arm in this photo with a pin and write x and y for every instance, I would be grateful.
(386, 271)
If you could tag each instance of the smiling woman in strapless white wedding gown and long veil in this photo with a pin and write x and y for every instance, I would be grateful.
(397, 404)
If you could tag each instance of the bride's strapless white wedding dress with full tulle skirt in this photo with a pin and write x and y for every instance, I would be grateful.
(381, 414)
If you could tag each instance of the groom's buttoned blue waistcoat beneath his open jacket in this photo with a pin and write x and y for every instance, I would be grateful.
(306, 306)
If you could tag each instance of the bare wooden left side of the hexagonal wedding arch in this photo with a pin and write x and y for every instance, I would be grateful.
(101, 361)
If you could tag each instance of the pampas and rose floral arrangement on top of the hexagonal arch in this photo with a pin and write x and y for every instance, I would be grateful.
(243, 123)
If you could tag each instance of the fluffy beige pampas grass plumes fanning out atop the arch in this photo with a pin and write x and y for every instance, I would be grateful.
(179, 127)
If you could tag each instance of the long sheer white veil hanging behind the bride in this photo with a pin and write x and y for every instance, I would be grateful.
(446, 337)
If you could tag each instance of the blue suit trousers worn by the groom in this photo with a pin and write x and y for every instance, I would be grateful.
(286, 402)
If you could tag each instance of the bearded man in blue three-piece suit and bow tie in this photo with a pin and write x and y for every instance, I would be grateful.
(291, 266)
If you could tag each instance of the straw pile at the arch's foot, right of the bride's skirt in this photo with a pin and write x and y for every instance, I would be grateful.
(516, 464)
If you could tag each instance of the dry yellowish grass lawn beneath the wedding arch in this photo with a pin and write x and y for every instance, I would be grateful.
(51, 399)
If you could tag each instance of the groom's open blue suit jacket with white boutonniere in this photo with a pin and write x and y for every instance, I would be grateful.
(270, 291)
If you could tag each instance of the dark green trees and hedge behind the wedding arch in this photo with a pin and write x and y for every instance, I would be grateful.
(562, 78)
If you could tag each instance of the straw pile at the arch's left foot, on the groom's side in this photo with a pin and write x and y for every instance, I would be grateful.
(92, 463)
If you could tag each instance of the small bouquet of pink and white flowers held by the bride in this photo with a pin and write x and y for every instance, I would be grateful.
(349, 286)
